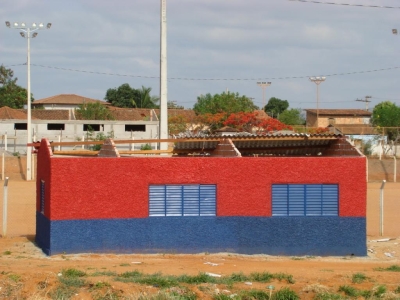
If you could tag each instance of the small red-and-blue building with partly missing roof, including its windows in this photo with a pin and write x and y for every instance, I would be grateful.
(296, 194)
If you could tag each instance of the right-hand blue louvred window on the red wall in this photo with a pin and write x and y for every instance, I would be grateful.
(305, 200)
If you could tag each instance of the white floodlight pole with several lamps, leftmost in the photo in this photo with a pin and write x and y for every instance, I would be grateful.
(28, 32)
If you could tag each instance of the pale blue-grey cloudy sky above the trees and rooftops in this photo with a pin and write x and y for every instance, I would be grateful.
(213, 46)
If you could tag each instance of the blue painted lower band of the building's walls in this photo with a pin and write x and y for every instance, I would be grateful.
(246, 235)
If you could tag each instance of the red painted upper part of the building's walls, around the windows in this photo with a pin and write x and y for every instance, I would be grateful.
(105, 188)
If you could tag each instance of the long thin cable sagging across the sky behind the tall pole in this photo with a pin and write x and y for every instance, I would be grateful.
(212, 79)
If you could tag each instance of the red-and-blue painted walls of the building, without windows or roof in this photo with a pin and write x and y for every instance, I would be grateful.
(102, 205)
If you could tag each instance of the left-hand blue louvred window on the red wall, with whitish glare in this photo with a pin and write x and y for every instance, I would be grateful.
(182, 200)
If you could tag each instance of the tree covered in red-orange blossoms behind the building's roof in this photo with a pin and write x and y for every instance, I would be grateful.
(250, 122)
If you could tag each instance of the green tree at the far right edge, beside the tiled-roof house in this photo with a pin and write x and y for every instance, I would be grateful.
(387, 114)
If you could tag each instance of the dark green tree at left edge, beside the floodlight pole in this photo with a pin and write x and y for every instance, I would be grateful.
(11, 94)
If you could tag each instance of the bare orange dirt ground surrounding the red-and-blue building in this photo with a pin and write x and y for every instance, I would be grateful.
(26, 273)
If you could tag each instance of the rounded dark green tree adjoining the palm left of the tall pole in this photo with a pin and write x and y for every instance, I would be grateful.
(123, 96)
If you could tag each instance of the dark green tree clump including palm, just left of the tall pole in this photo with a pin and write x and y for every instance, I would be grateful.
(125, 96)
